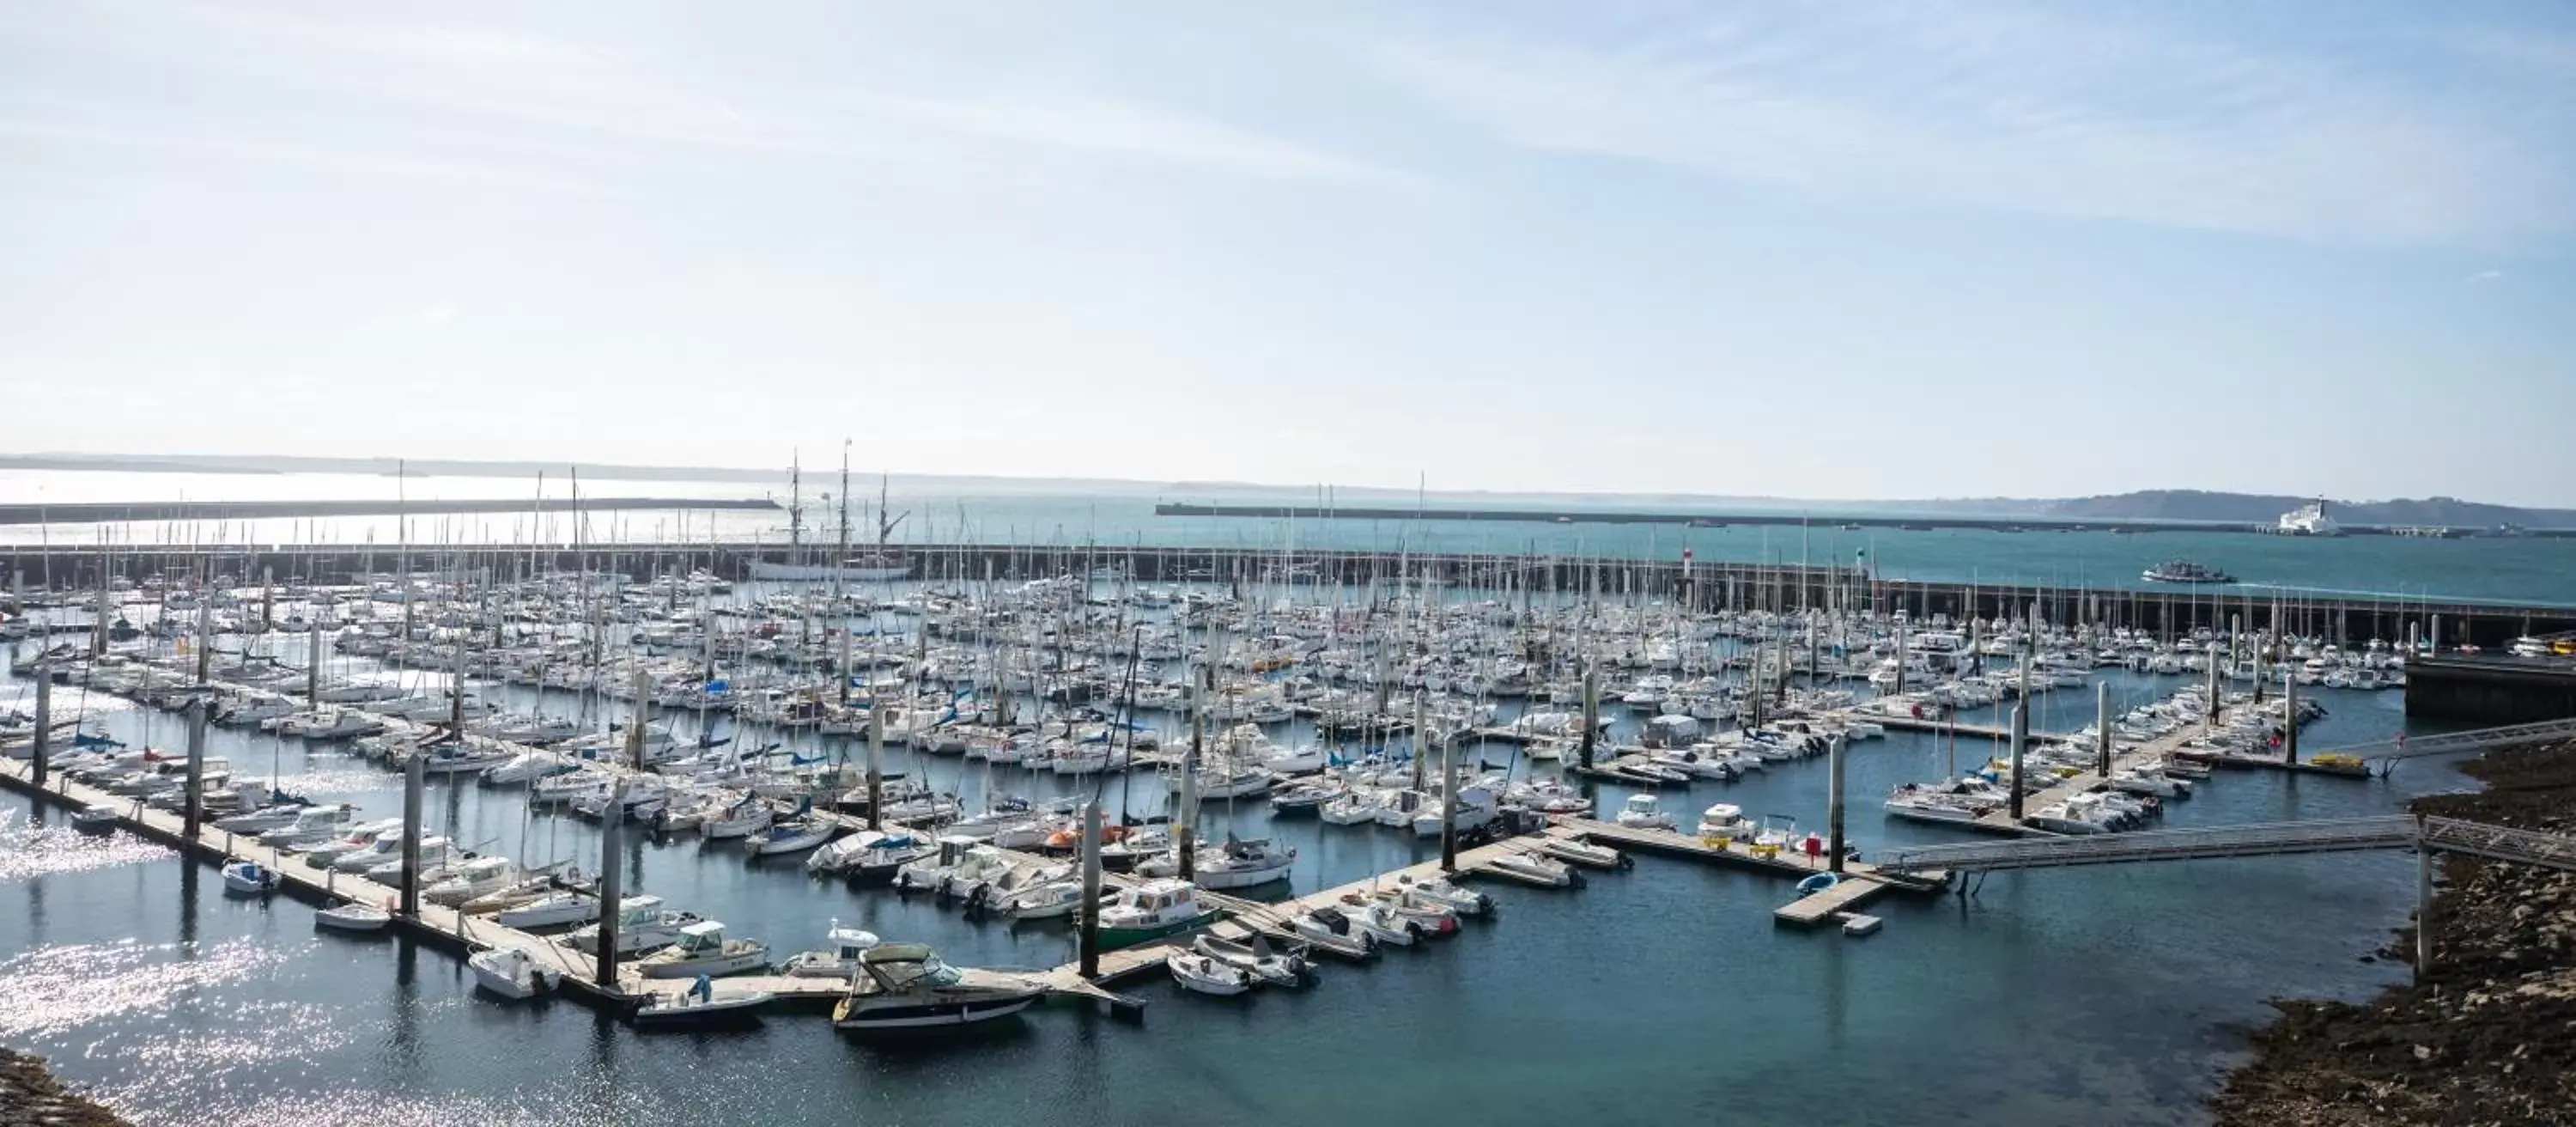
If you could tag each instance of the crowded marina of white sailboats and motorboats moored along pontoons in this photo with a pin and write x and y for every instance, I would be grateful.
(1748, 661)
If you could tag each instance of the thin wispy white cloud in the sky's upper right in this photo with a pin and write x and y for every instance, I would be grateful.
(2008, 110)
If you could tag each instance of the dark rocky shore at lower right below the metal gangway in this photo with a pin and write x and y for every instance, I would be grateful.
(2490, 1035)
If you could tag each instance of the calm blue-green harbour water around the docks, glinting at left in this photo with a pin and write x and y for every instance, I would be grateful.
(1663, 994)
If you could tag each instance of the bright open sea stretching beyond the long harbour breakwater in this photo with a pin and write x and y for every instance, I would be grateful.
(2523, 571)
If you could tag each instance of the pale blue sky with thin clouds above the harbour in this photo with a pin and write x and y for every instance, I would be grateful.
(1756, 249)
